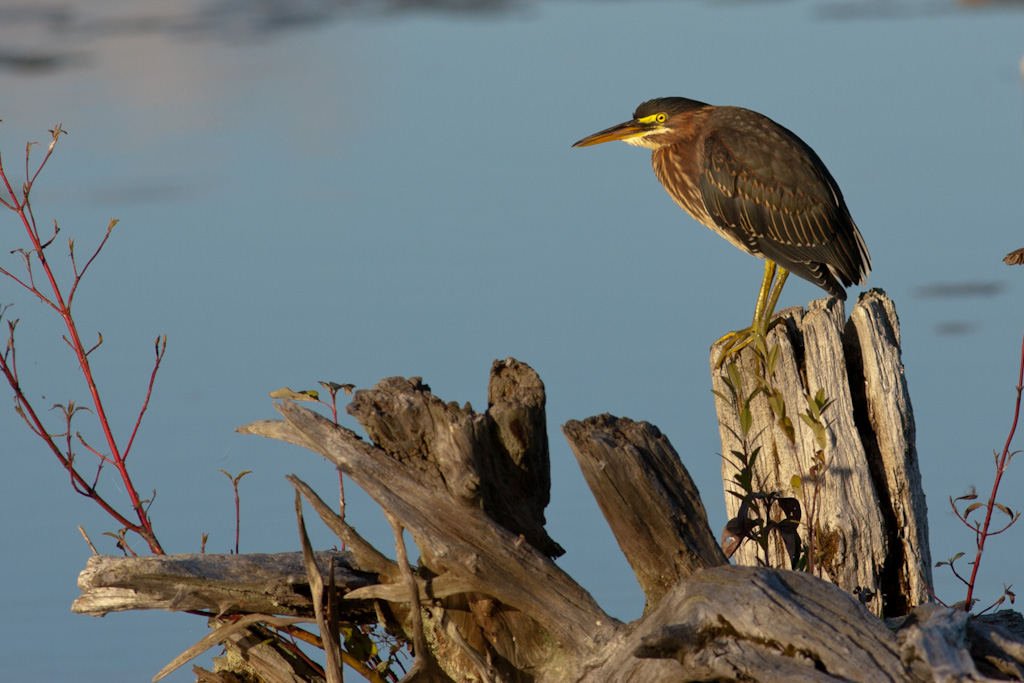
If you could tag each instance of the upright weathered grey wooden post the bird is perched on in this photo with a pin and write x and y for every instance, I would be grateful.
(872, 520)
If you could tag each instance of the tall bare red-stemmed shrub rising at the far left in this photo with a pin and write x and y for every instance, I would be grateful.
(24, 210)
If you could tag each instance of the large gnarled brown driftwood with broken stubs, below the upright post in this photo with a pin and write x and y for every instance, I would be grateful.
(472, 488)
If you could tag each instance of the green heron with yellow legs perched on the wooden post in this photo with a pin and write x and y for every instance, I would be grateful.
(758, 186)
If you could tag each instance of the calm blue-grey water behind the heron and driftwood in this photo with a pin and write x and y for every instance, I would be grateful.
(354, 191)
